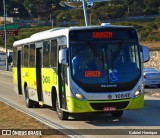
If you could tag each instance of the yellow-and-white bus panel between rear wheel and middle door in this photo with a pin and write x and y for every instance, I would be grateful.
(32, 84)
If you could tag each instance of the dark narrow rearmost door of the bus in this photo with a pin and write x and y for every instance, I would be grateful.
(19, 56)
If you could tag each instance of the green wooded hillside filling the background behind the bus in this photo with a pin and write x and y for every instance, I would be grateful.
(120, 12)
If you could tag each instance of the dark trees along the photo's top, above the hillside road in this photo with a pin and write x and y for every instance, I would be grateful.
(27, 9)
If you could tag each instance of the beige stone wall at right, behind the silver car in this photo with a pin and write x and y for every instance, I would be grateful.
(154, 60)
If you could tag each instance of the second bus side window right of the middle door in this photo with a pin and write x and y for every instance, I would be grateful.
(53, 55)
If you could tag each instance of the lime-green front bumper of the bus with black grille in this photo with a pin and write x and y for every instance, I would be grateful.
(84, 106)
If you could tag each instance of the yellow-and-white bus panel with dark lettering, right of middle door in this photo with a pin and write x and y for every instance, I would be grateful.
(49, 80)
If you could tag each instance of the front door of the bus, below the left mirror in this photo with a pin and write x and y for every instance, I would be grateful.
(62, 84)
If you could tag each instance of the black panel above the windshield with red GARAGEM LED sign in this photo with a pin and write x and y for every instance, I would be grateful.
(106, 34)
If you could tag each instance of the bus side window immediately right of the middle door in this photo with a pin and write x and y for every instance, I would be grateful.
(46, 50)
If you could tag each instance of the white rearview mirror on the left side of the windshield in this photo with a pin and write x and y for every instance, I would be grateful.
(63, 56)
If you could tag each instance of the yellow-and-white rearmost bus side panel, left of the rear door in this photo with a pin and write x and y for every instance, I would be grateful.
(15, 81)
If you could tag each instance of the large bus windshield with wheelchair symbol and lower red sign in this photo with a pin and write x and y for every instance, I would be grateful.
(105, 63)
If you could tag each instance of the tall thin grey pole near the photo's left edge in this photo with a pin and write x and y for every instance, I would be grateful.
(5, 34)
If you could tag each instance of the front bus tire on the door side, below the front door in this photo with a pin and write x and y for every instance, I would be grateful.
(62, 115)
